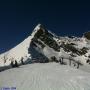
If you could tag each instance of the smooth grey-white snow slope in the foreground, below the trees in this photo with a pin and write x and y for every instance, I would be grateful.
(48, 76)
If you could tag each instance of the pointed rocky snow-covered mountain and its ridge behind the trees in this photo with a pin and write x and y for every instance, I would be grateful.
(42, 45)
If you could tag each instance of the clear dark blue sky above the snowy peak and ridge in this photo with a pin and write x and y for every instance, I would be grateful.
(19, 17)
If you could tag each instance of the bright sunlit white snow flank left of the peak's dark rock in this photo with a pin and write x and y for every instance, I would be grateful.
(19, 51)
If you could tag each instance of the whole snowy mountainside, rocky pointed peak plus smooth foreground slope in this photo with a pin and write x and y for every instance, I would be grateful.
(41, 46)
